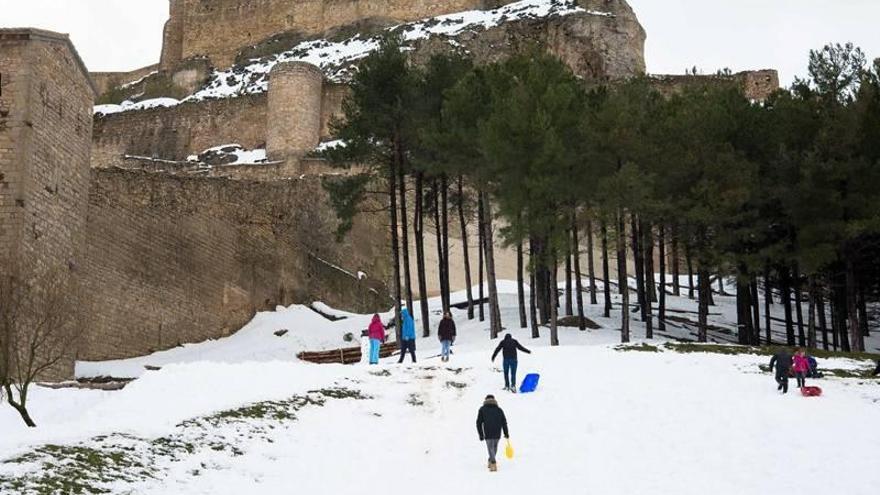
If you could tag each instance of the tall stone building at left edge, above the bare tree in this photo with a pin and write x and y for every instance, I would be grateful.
(46, 99)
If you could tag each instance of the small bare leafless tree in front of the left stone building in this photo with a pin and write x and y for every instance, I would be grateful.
(38, 331)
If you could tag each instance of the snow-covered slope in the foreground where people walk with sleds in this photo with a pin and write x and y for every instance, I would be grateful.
(602, 421)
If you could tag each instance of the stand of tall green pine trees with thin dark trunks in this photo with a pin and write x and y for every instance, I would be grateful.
(782, 196)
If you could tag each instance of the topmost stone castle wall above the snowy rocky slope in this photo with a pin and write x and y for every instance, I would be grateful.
(218, 29)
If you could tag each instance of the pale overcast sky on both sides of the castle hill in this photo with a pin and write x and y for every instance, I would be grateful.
(709, 34)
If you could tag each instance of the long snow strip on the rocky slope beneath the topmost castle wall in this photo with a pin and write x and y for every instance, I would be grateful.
(335, 58)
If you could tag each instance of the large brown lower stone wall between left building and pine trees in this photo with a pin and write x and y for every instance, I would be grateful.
(175, 259)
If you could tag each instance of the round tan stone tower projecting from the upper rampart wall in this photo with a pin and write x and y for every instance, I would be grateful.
(294, 116)
